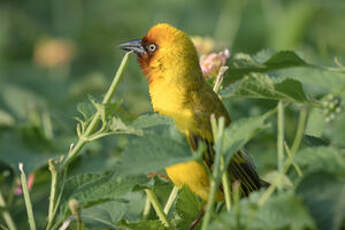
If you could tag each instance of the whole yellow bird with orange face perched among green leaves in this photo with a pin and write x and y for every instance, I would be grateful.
(177, 88)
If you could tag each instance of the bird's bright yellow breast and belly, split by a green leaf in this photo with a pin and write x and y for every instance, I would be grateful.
(170, 100)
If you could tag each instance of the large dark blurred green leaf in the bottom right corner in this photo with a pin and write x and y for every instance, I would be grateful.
(324, 195)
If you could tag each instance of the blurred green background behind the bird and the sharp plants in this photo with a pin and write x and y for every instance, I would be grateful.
(54, 54)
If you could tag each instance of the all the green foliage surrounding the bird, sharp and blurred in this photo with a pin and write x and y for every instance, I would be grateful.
(128, 147)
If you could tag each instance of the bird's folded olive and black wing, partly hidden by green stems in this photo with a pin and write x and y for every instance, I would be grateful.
(241, 167)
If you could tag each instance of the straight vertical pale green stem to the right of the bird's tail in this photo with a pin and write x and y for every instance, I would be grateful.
(280, 137)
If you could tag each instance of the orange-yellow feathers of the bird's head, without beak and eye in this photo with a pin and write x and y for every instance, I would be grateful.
(175, 59)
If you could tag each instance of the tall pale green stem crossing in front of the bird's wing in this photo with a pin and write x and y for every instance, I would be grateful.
(216, 175)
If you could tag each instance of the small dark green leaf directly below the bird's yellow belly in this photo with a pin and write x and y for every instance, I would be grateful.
(188, 207)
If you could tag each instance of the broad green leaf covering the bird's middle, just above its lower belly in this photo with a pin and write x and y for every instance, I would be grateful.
(155, 151)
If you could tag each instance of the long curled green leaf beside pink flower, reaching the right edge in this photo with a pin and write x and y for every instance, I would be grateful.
(285, 65)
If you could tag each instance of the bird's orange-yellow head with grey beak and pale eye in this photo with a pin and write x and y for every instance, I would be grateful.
(165, 52)
